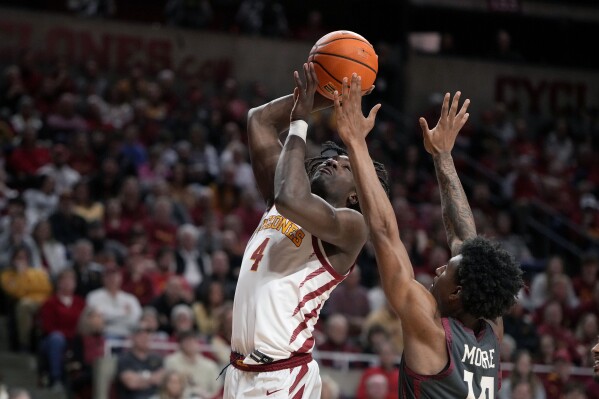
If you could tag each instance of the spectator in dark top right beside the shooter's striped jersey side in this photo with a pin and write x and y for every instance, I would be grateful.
(351, 300)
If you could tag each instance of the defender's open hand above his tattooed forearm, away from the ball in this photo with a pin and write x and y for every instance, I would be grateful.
(442, 137)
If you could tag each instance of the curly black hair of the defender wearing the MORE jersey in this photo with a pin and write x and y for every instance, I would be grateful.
(490, 278)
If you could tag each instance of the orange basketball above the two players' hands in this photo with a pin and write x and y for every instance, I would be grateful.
(339, 54)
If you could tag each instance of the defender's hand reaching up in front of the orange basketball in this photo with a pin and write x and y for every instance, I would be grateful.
(351, 123)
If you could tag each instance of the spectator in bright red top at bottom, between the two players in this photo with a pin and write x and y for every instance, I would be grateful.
(387, 368)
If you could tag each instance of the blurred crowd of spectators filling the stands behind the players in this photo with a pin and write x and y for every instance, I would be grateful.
(126, 201)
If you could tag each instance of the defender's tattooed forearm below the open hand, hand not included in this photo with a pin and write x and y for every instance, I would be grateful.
(457, 215)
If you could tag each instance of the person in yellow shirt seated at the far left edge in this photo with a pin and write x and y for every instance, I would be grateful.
(27, 288)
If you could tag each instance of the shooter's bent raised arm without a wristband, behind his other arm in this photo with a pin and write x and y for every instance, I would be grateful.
(265, 123)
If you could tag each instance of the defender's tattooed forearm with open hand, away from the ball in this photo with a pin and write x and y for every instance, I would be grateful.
(457, 216)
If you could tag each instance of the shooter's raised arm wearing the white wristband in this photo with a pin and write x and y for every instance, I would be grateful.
(333, 222)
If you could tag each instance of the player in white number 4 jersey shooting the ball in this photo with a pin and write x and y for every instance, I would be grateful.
(305, 245)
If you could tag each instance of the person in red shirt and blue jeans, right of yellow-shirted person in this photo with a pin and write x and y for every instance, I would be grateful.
(59, 316)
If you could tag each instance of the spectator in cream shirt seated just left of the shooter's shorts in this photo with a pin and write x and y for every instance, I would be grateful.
(201, 373)
